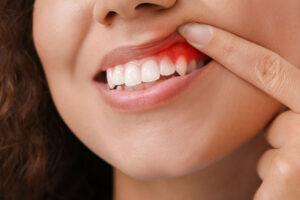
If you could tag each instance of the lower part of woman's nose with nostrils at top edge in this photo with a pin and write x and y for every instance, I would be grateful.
(106, 10)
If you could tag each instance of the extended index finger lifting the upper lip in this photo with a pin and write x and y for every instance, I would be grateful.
(261, 67)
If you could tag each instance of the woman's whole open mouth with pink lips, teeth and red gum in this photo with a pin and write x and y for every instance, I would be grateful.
(140, 78)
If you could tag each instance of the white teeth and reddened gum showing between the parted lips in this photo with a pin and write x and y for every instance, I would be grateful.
(179, 59)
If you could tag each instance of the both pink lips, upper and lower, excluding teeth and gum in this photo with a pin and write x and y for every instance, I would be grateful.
(158, 94)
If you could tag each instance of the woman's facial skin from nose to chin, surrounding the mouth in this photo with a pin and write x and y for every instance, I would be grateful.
(211, 117)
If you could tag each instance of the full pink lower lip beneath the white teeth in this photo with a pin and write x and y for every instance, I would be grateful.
(155, 96)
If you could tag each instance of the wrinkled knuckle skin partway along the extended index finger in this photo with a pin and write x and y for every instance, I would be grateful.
(269, 71)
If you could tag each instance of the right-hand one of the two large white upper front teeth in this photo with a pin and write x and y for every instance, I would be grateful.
(150, 71)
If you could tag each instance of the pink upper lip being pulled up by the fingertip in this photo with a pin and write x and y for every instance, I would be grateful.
(125, 54)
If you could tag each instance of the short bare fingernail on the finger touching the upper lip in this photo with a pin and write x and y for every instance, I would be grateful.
(198, 34)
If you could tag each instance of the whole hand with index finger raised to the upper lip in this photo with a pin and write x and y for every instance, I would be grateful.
(279, 168)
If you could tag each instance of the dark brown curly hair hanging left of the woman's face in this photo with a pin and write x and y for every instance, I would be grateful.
(40, 158)
